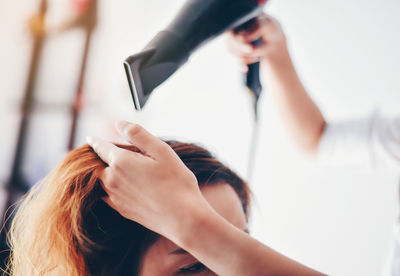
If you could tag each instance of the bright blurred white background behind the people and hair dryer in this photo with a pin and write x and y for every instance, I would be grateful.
(335, 219)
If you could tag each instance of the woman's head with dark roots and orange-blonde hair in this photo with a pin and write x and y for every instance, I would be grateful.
(63, 227)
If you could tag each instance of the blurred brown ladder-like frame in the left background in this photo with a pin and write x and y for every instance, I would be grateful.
(85, 18)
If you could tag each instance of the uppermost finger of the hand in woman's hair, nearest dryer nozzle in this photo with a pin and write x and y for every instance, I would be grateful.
(145, 141)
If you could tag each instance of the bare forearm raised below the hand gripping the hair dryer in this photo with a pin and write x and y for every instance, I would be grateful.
(300, 114)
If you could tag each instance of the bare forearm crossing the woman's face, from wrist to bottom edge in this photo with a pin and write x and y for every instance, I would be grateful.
(229, 251)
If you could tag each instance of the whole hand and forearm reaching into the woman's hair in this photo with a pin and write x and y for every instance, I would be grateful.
(157, 190)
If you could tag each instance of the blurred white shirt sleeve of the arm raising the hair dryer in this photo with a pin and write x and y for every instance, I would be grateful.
(372, 141)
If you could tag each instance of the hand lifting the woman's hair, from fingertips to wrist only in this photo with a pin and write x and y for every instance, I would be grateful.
(153, 188)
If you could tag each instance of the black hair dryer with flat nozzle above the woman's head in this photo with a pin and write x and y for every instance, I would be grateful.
(197, 22)
